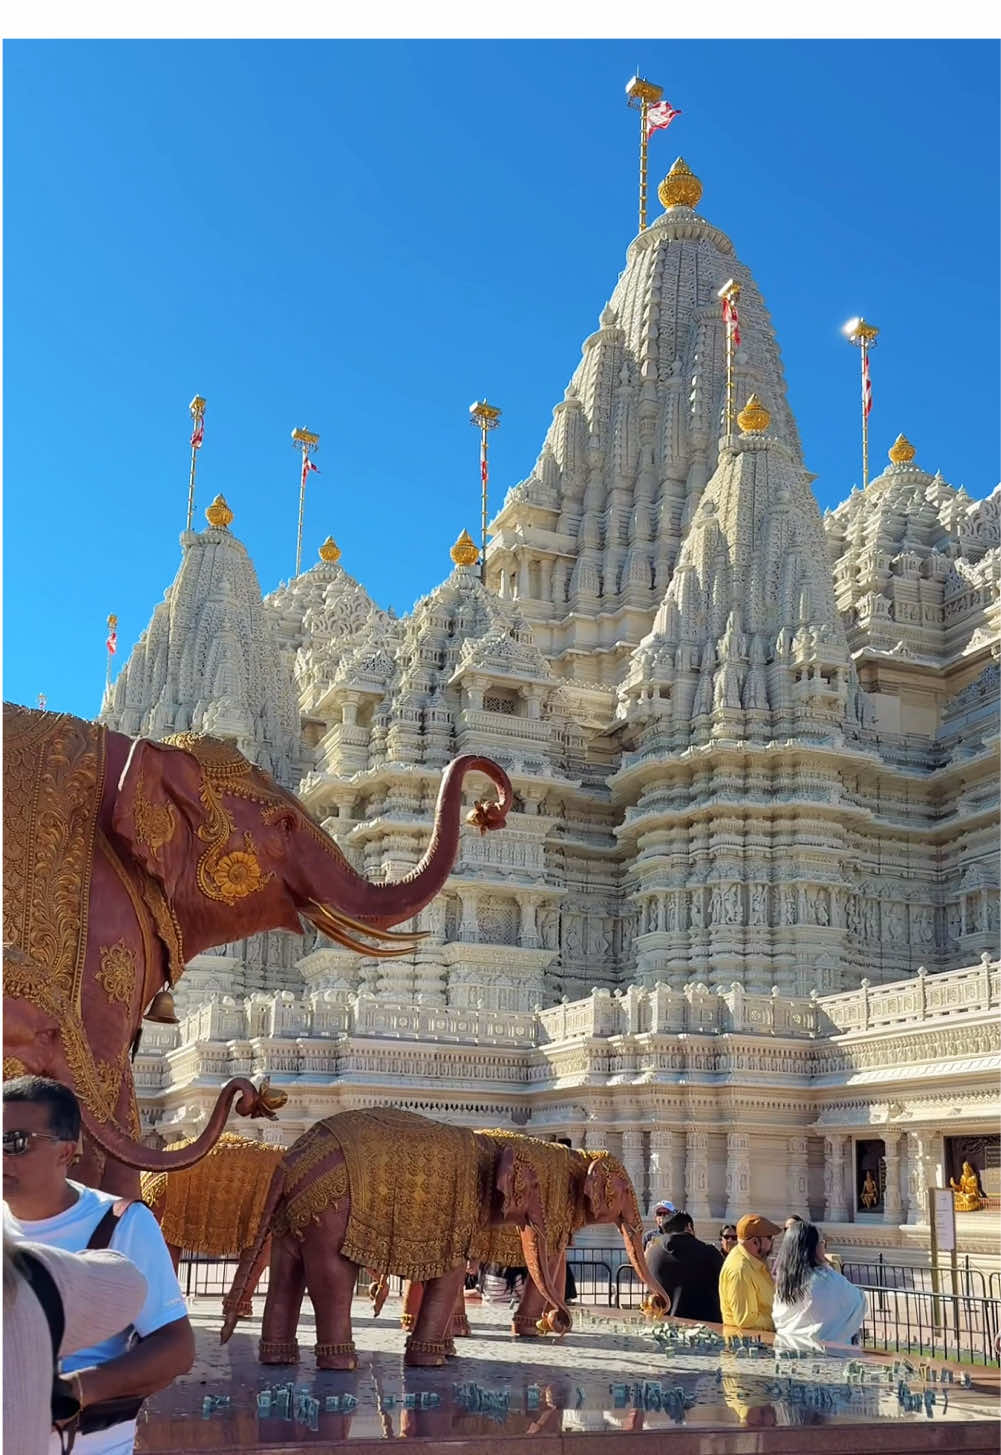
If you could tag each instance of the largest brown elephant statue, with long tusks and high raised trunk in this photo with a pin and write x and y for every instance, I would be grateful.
(123, 859)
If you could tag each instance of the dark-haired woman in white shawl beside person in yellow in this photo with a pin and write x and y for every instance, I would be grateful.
(814, 1304)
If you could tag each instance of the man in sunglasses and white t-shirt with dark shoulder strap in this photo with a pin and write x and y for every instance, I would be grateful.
(41, 1131)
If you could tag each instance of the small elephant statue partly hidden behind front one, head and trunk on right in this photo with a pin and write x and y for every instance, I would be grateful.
(580, 1189)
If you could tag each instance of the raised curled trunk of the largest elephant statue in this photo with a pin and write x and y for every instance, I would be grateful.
(343, 896)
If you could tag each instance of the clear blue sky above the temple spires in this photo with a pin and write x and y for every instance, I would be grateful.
(364, 236)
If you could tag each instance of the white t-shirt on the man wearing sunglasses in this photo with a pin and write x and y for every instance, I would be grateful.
(137, 1235)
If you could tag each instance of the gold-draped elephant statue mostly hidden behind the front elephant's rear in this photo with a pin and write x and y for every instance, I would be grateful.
(216, 1207)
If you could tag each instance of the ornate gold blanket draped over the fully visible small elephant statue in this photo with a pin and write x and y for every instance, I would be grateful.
(418, 1188)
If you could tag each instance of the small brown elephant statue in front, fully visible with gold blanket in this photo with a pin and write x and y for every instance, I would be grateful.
(392, 1192)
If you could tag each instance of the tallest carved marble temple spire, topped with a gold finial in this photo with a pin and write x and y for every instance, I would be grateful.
(600, 522)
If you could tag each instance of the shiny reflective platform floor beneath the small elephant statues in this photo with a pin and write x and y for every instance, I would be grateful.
(600, 1382)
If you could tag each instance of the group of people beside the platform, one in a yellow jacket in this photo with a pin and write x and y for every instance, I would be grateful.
(759, 1278)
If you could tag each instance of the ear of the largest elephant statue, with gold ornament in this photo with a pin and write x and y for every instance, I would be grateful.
(158, 808)
